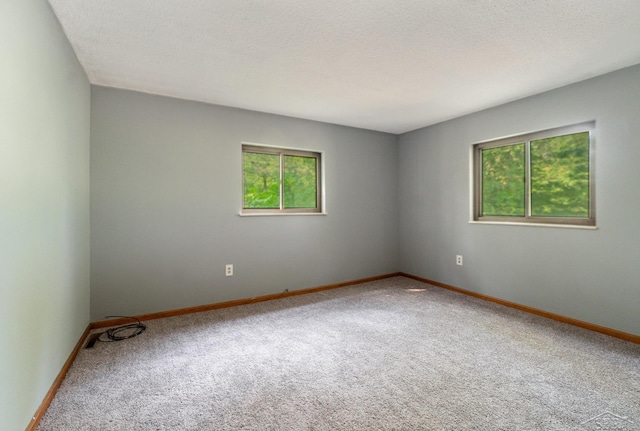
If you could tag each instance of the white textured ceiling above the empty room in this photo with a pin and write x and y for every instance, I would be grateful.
(388, 65)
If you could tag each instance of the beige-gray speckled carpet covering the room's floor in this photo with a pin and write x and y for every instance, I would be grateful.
(394, 354)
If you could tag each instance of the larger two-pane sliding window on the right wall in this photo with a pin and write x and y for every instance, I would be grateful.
(545, 177)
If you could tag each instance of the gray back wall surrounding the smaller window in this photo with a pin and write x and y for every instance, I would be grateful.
(166, 192)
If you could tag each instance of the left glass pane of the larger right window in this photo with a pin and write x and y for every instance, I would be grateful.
(503, 184)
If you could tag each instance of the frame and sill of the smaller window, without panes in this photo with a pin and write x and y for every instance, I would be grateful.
(285, 151)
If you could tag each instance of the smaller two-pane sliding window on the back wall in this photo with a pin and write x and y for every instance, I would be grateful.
(280, 180)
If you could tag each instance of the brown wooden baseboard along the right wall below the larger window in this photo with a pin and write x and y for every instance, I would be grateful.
(557, 317)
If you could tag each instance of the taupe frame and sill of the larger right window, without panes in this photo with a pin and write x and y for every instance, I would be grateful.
(527, 219)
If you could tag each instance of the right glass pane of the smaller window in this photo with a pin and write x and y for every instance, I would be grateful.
(300, 182)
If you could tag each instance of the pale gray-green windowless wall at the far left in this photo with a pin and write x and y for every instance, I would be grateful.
(44, 205)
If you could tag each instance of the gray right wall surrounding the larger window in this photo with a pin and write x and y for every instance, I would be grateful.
(592, 275)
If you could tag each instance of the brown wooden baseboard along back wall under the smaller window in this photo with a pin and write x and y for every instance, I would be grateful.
(236, 302)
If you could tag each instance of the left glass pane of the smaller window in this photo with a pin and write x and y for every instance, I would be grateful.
(261, 180)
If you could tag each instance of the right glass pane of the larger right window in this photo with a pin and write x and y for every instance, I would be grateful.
(560, 176)
